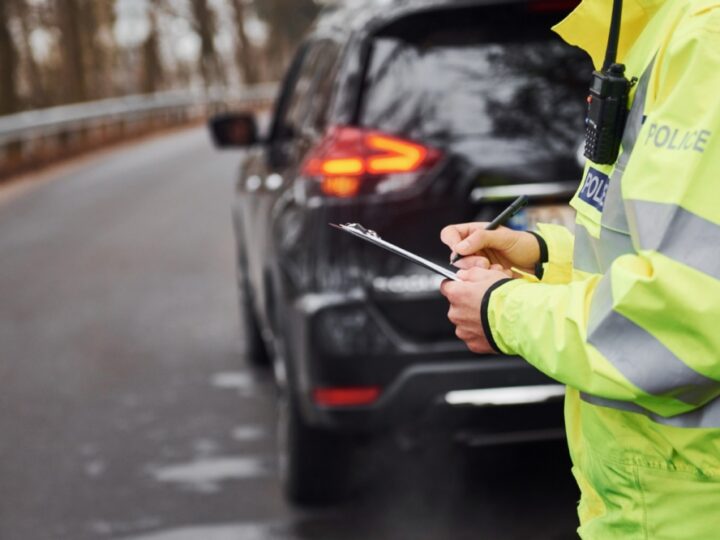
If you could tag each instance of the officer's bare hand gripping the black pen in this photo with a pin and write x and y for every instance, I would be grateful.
(503, 246)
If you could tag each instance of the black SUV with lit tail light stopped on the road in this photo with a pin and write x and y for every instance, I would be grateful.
(404, 116)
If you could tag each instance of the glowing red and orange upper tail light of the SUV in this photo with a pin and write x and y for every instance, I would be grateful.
(349, 161)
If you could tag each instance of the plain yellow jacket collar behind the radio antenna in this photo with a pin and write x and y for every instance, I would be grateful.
(588, 26)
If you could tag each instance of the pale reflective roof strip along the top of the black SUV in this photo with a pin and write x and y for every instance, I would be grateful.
(367, 16)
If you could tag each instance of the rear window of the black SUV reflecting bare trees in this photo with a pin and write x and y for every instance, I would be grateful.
(461, 76)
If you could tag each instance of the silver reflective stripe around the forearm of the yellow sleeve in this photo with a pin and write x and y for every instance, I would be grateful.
(646, 362)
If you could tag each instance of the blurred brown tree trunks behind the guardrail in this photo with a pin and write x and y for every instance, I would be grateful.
(54, 52)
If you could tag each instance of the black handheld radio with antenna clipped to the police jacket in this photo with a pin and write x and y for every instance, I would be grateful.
(608, 101)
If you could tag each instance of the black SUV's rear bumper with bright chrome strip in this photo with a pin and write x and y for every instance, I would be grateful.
(432, 381)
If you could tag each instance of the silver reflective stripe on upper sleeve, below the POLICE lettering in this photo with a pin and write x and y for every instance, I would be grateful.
(676, 233)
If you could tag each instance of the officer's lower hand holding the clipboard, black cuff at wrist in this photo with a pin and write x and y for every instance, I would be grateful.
(465, 298)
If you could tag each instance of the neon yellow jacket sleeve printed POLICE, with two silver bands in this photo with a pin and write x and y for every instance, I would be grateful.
(647, 331)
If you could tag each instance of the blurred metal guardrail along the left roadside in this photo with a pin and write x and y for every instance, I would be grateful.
(33, 137)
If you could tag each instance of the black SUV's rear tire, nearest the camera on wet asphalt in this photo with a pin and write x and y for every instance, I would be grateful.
(316, 465)
